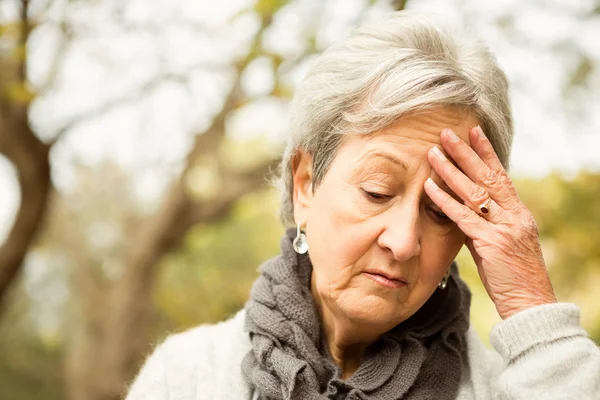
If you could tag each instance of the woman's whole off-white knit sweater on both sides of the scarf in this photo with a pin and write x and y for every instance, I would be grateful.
(542, 353)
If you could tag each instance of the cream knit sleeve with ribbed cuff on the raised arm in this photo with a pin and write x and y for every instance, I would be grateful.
(547, 355)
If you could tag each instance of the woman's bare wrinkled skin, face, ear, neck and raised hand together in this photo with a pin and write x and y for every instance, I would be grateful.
(389, 203)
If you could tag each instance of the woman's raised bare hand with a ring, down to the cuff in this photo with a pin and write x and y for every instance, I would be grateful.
(504, 241)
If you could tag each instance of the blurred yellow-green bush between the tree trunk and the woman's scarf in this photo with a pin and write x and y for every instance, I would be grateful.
(210, 277)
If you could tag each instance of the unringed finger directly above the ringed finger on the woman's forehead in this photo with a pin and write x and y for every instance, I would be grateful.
(474, 167)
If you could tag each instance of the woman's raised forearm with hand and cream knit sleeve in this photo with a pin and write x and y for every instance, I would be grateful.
(546, 354)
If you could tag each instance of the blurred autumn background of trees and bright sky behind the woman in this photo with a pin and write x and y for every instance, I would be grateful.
(135, 136)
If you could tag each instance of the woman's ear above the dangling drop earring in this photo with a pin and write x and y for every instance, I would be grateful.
(302, 178)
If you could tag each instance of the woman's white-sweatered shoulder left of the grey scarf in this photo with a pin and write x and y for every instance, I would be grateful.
(196, 364)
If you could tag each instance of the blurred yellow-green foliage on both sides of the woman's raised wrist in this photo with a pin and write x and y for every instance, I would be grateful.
(567, 212)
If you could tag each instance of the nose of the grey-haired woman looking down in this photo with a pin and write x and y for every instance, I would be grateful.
(400, 233)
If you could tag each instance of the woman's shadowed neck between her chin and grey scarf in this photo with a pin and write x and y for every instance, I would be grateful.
(346, 340)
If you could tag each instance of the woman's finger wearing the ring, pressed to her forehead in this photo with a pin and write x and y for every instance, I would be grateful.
(473, 195)
